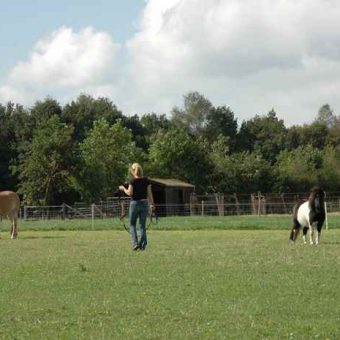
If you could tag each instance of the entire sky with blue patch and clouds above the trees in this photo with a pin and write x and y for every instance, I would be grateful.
(145, 55)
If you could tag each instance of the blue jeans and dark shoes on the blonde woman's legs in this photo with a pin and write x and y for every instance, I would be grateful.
(138, 209)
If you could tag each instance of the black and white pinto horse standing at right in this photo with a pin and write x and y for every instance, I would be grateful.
(309, 213)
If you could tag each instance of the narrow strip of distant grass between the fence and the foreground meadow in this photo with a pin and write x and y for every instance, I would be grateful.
(245, 222)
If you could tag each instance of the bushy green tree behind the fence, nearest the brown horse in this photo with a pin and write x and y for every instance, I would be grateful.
(43, 171)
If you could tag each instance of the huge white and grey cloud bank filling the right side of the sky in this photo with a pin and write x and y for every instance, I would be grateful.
(251, 55)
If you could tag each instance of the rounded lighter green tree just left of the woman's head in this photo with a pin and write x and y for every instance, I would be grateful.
(106, 153)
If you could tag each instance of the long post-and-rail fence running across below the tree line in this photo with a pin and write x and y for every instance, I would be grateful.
(207, 205)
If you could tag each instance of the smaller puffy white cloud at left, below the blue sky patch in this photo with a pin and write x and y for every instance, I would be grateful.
(65, 61)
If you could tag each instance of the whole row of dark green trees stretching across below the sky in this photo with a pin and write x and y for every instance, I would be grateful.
(52, 154)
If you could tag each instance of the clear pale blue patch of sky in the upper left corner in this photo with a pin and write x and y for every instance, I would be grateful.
(24, 22)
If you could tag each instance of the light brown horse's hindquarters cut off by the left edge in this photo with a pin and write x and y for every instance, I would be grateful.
(9, 206)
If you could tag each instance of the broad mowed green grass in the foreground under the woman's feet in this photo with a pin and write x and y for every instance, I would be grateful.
(202, 284)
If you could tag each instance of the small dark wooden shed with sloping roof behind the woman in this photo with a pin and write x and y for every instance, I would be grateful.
(171, 196)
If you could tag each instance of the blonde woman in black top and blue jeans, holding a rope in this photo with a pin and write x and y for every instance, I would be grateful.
(140, 192)
